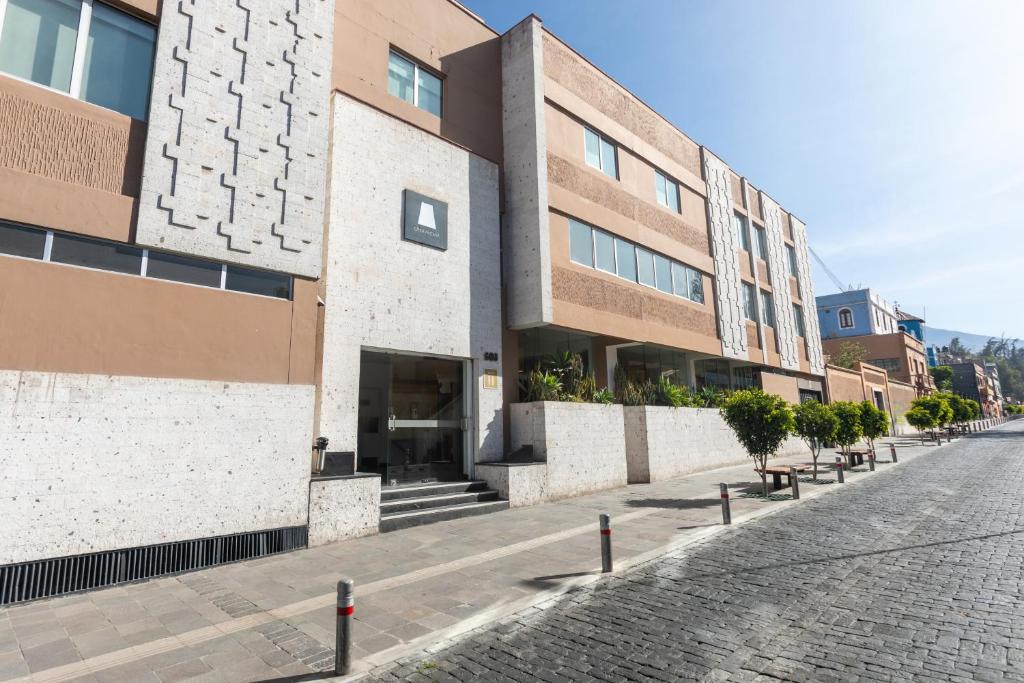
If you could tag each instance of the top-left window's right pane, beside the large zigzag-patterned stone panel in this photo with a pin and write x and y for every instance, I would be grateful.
(118, 62)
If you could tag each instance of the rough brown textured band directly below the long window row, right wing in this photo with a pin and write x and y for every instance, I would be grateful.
(600, 294)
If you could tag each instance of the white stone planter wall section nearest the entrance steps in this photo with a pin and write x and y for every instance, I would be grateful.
(583, 445)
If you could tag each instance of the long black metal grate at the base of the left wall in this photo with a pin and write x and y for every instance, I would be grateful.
(45, 579)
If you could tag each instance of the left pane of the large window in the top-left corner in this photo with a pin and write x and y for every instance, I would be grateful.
(38, 41)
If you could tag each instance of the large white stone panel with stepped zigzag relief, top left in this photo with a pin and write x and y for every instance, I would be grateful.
(236, 160)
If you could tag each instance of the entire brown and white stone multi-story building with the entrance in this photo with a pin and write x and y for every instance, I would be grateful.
(227, 231)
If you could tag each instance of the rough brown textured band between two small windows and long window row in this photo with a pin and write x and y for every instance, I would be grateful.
(604, 193)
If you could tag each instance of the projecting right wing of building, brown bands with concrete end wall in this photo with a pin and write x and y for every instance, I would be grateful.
(631, 244)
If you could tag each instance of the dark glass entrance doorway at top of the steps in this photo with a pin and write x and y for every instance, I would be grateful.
(412, 418)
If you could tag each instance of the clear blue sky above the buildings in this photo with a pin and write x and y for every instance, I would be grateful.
(894, 130)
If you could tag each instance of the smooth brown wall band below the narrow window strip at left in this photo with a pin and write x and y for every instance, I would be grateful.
(70, 320)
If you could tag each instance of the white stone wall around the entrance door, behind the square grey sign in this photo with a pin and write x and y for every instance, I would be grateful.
(383, 293)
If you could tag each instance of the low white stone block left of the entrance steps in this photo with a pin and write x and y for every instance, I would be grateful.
(347, 507)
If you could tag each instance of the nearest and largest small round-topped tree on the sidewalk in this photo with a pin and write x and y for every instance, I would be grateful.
(761, 422)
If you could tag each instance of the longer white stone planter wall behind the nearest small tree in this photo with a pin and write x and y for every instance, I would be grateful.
(665, 443)
